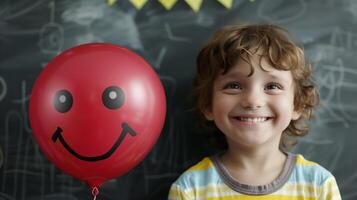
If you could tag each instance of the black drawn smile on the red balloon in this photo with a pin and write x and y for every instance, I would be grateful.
(125, 130)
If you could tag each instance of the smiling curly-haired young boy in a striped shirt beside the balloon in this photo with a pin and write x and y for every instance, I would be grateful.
(253, 84)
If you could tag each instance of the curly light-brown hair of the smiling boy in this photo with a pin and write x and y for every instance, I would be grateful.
(231, 43)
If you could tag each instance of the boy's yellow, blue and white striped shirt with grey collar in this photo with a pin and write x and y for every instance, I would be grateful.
(300, 179)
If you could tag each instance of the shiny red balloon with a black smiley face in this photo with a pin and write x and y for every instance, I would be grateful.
(96, 111)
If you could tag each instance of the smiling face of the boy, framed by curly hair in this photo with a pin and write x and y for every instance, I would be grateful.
(253, 110)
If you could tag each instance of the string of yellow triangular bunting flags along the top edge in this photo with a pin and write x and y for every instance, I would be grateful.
(195, 5)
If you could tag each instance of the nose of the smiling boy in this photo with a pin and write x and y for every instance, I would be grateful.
(252, 99)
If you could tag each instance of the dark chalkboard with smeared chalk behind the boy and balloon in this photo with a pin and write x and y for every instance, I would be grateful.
(33, 32)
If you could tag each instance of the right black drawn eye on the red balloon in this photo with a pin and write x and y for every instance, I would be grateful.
(113, 97)
